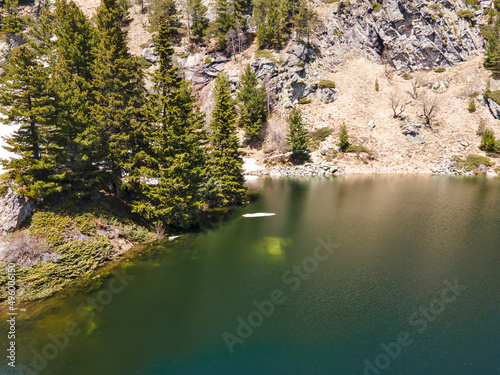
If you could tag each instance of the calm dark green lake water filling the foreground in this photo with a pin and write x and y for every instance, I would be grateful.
(375, 300)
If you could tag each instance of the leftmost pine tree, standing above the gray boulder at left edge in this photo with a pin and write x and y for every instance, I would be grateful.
(25, 93)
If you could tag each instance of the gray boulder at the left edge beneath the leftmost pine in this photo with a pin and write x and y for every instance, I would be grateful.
(13, 211)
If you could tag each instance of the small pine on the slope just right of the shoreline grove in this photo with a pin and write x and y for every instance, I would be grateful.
(252, 103)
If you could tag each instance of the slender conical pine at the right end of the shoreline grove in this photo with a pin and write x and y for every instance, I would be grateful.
(226, 184)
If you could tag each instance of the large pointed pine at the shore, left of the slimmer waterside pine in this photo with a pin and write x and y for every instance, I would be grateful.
(170, 167)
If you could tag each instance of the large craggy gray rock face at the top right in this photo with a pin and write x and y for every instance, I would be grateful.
(409, 34)
